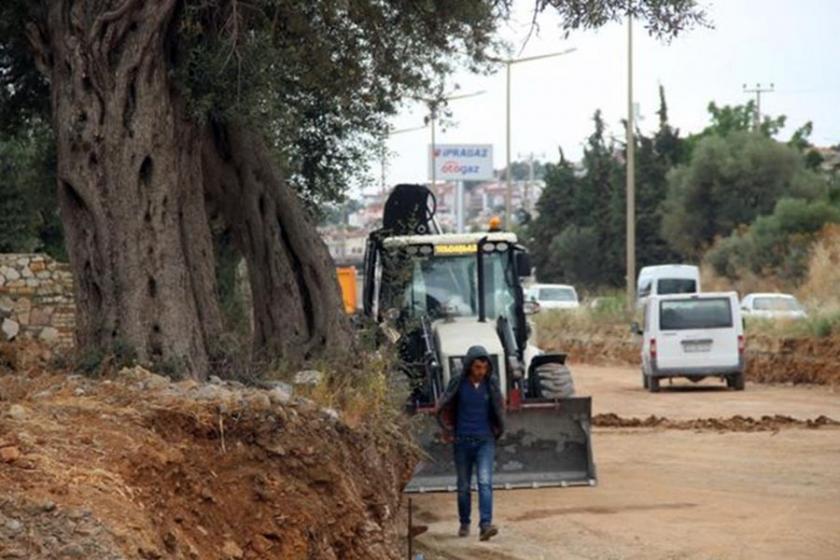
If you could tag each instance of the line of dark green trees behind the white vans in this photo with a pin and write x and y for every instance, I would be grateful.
(731, 195)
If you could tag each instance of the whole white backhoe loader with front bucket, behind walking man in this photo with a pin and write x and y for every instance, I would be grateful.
(444, 292)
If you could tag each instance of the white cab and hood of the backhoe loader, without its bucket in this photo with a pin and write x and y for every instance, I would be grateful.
(459, 290)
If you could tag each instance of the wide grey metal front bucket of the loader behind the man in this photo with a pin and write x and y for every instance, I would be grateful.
(546, 443)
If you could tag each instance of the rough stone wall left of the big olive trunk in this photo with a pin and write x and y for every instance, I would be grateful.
(36, 299)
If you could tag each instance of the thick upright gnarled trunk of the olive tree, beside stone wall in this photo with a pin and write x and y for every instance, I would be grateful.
(130, 183)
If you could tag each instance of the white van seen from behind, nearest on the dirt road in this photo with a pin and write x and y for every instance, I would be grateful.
(693, 336)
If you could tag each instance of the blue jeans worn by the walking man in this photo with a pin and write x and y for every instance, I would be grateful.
(475, 454)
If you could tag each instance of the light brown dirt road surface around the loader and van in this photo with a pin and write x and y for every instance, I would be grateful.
(678, 494)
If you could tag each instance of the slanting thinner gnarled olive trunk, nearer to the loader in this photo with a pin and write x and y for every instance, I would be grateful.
(296, 298)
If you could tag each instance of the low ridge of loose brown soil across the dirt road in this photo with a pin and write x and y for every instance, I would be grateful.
(732, 424)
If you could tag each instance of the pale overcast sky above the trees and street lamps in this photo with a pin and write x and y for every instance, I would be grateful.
(791, 43)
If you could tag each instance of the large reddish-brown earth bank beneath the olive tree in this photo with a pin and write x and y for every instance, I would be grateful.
(140, 467)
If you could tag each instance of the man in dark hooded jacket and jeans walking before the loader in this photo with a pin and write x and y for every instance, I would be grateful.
(471, 413)
